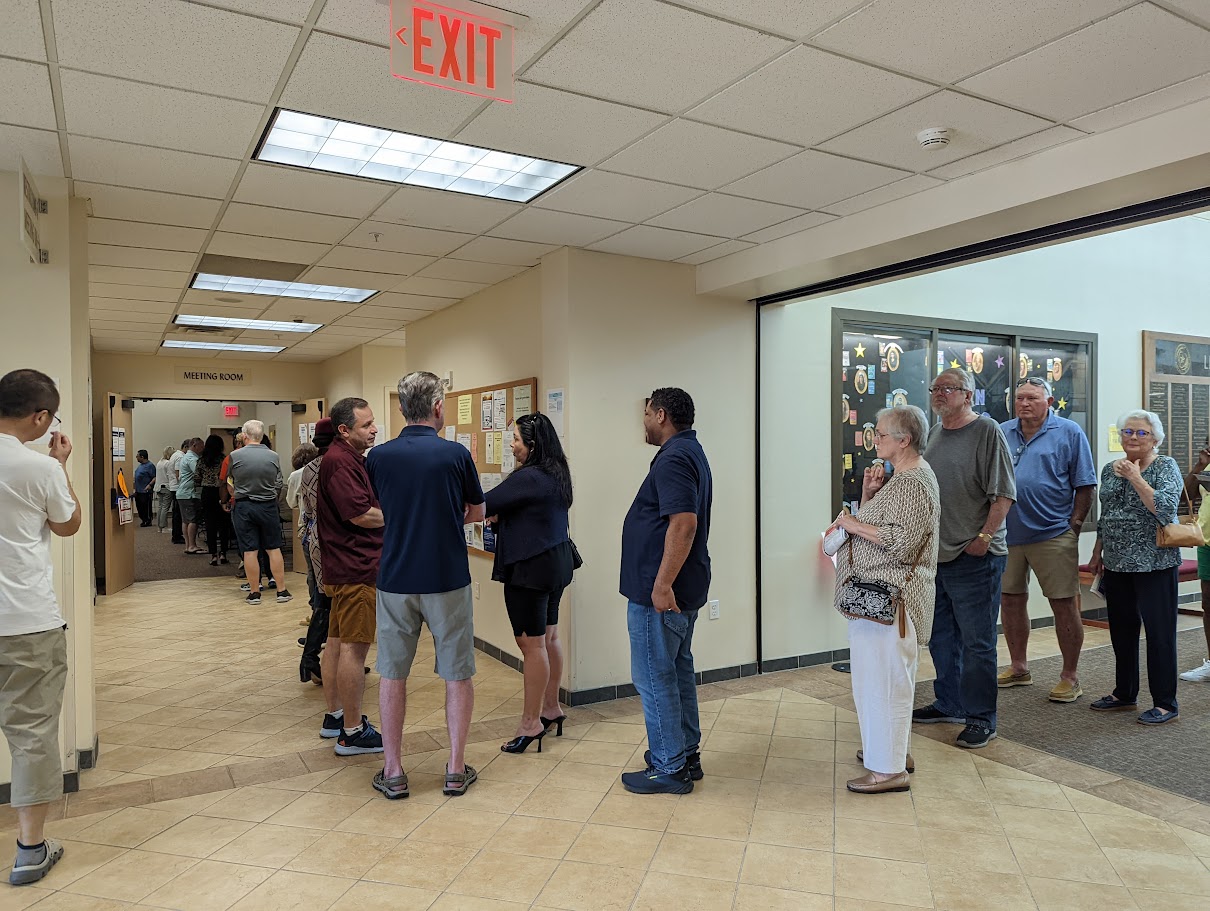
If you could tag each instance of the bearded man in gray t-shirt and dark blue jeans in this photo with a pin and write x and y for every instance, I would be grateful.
(975, 475)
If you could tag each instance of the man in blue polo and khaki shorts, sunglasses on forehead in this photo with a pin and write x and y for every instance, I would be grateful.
(1056, 485)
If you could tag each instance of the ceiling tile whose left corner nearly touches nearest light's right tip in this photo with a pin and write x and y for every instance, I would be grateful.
(675, 154)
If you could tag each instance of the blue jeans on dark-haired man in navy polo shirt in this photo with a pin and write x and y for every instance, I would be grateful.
(662, 671)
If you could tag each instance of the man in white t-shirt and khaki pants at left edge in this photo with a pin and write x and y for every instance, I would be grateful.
(36, 501)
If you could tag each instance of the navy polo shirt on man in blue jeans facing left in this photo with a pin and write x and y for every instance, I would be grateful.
(678, 482)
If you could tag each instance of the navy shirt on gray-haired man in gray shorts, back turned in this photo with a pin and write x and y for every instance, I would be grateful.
(424, 485)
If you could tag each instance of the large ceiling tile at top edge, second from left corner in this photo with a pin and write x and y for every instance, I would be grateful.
(169, 43)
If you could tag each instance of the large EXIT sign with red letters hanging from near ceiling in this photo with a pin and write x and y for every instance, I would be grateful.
(466, 47)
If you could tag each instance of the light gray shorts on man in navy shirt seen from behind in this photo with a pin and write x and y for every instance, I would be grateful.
(451, 619)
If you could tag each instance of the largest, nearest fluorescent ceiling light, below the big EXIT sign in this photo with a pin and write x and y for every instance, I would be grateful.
(308, 142)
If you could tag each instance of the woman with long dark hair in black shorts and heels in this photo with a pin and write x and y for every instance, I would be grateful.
(535, 561)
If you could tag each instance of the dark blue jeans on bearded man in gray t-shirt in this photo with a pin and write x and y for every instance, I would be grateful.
(964, 643)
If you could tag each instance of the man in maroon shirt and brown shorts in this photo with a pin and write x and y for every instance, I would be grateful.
(350, 527)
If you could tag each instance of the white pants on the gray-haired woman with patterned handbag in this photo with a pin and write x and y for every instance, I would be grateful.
(884, 671)
